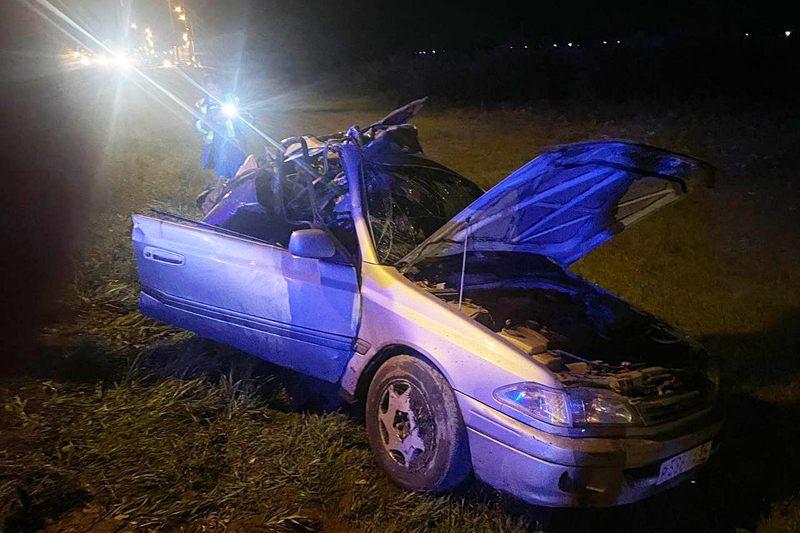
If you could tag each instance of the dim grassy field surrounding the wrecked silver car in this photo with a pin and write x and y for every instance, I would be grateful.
(122, 423)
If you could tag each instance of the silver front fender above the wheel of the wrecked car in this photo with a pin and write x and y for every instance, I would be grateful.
(473, 359)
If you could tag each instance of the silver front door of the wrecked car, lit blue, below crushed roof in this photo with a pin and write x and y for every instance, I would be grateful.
(296, 312)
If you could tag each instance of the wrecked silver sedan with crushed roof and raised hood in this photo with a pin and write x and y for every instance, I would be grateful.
(449, 313)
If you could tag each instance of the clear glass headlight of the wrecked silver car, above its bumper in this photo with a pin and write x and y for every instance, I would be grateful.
(573, 408)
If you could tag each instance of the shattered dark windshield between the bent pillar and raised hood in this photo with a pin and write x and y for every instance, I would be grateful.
(407, 203)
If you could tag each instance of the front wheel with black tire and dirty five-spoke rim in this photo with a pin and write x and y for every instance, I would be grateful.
(425, 447)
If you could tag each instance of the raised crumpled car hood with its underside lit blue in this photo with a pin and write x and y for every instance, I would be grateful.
(567, 201)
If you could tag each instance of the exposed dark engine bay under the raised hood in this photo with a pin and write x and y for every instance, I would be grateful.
(587, 337)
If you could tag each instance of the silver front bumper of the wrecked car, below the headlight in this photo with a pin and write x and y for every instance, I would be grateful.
(556, 471)
